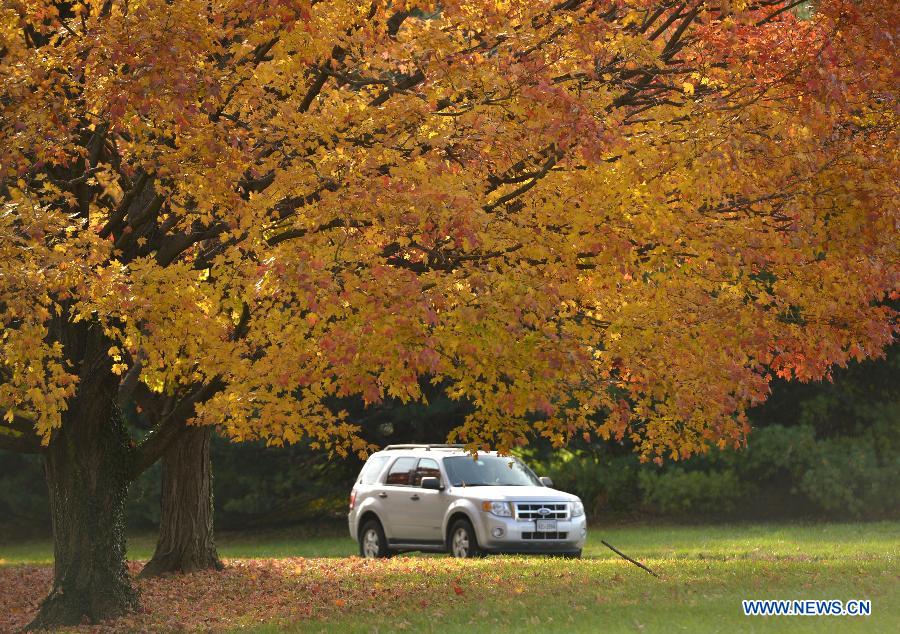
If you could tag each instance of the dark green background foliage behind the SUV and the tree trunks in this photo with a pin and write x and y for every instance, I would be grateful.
(803, 435)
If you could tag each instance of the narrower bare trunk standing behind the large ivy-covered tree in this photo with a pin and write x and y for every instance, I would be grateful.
(186, 541)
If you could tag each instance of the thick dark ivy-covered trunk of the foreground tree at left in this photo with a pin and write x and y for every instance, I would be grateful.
(86, 467)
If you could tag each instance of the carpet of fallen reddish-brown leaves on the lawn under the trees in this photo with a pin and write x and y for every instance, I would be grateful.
(263, 591)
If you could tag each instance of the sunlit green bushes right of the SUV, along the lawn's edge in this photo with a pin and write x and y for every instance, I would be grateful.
(783, 472)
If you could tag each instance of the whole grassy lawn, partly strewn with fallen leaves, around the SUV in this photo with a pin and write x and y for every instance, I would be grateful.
(284, 582)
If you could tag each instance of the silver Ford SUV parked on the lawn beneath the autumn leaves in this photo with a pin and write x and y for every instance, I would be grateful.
(440, 498)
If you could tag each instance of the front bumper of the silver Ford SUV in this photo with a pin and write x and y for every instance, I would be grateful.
(508, 535)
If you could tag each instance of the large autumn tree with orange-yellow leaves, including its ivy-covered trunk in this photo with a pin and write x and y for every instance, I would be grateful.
(235, 211)
